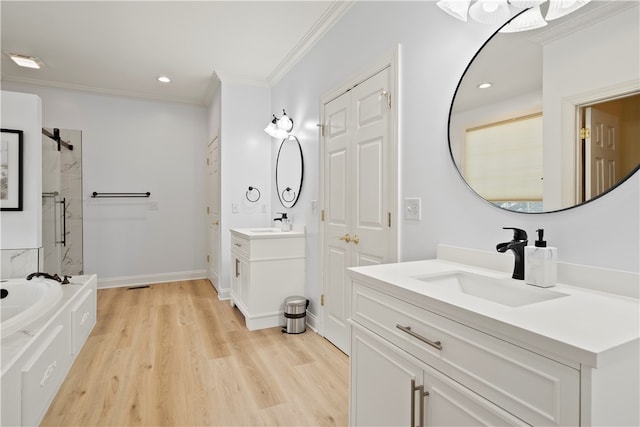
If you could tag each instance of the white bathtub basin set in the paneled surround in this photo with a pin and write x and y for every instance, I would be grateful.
(25, 301)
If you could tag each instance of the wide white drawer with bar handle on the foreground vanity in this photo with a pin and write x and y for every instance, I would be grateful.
(534, 388)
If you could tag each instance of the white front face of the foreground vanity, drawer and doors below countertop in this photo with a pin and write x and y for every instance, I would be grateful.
(456, 365)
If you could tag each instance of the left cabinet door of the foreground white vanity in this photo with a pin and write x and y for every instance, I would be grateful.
(383, 383)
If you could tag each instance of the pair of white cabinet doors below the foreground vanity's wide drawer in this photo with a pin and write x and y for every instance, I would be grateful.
(391, 388)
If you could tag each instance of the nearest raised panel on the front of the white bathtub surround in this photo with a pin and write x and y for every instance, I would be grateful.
(43, 374)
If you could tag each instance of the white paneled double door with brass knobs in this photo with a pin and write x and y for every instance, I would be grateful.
(359, 193)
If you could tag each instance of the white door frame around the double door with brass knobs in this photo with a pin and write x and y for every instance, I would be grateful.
(391, 61)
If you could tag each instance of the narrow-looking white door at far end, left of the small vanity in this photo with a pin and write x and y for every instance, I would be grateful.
(213, 212)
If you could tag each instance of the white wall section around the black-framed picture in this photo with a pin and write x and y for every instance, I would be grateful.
(23, 229)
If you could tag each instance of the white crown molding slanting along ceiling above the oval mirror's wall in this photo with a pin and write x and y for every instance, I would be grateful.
(331, 16)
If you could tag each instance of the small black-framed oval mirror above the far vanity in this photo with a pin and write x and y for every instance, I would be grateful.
(289, 171)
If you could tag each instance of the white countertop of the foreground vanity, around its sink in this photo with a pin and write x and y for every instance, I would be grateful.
(587, 327)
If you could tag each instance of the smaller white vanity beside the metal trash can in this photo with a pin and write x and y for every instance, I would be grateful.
(267, 265)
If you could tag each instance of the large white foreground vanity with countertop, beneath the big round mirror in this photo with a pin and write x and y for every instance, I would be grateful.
(440, 343)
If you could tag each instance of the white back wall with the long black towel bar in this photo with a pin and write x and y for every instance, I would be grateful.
(134, 145)
